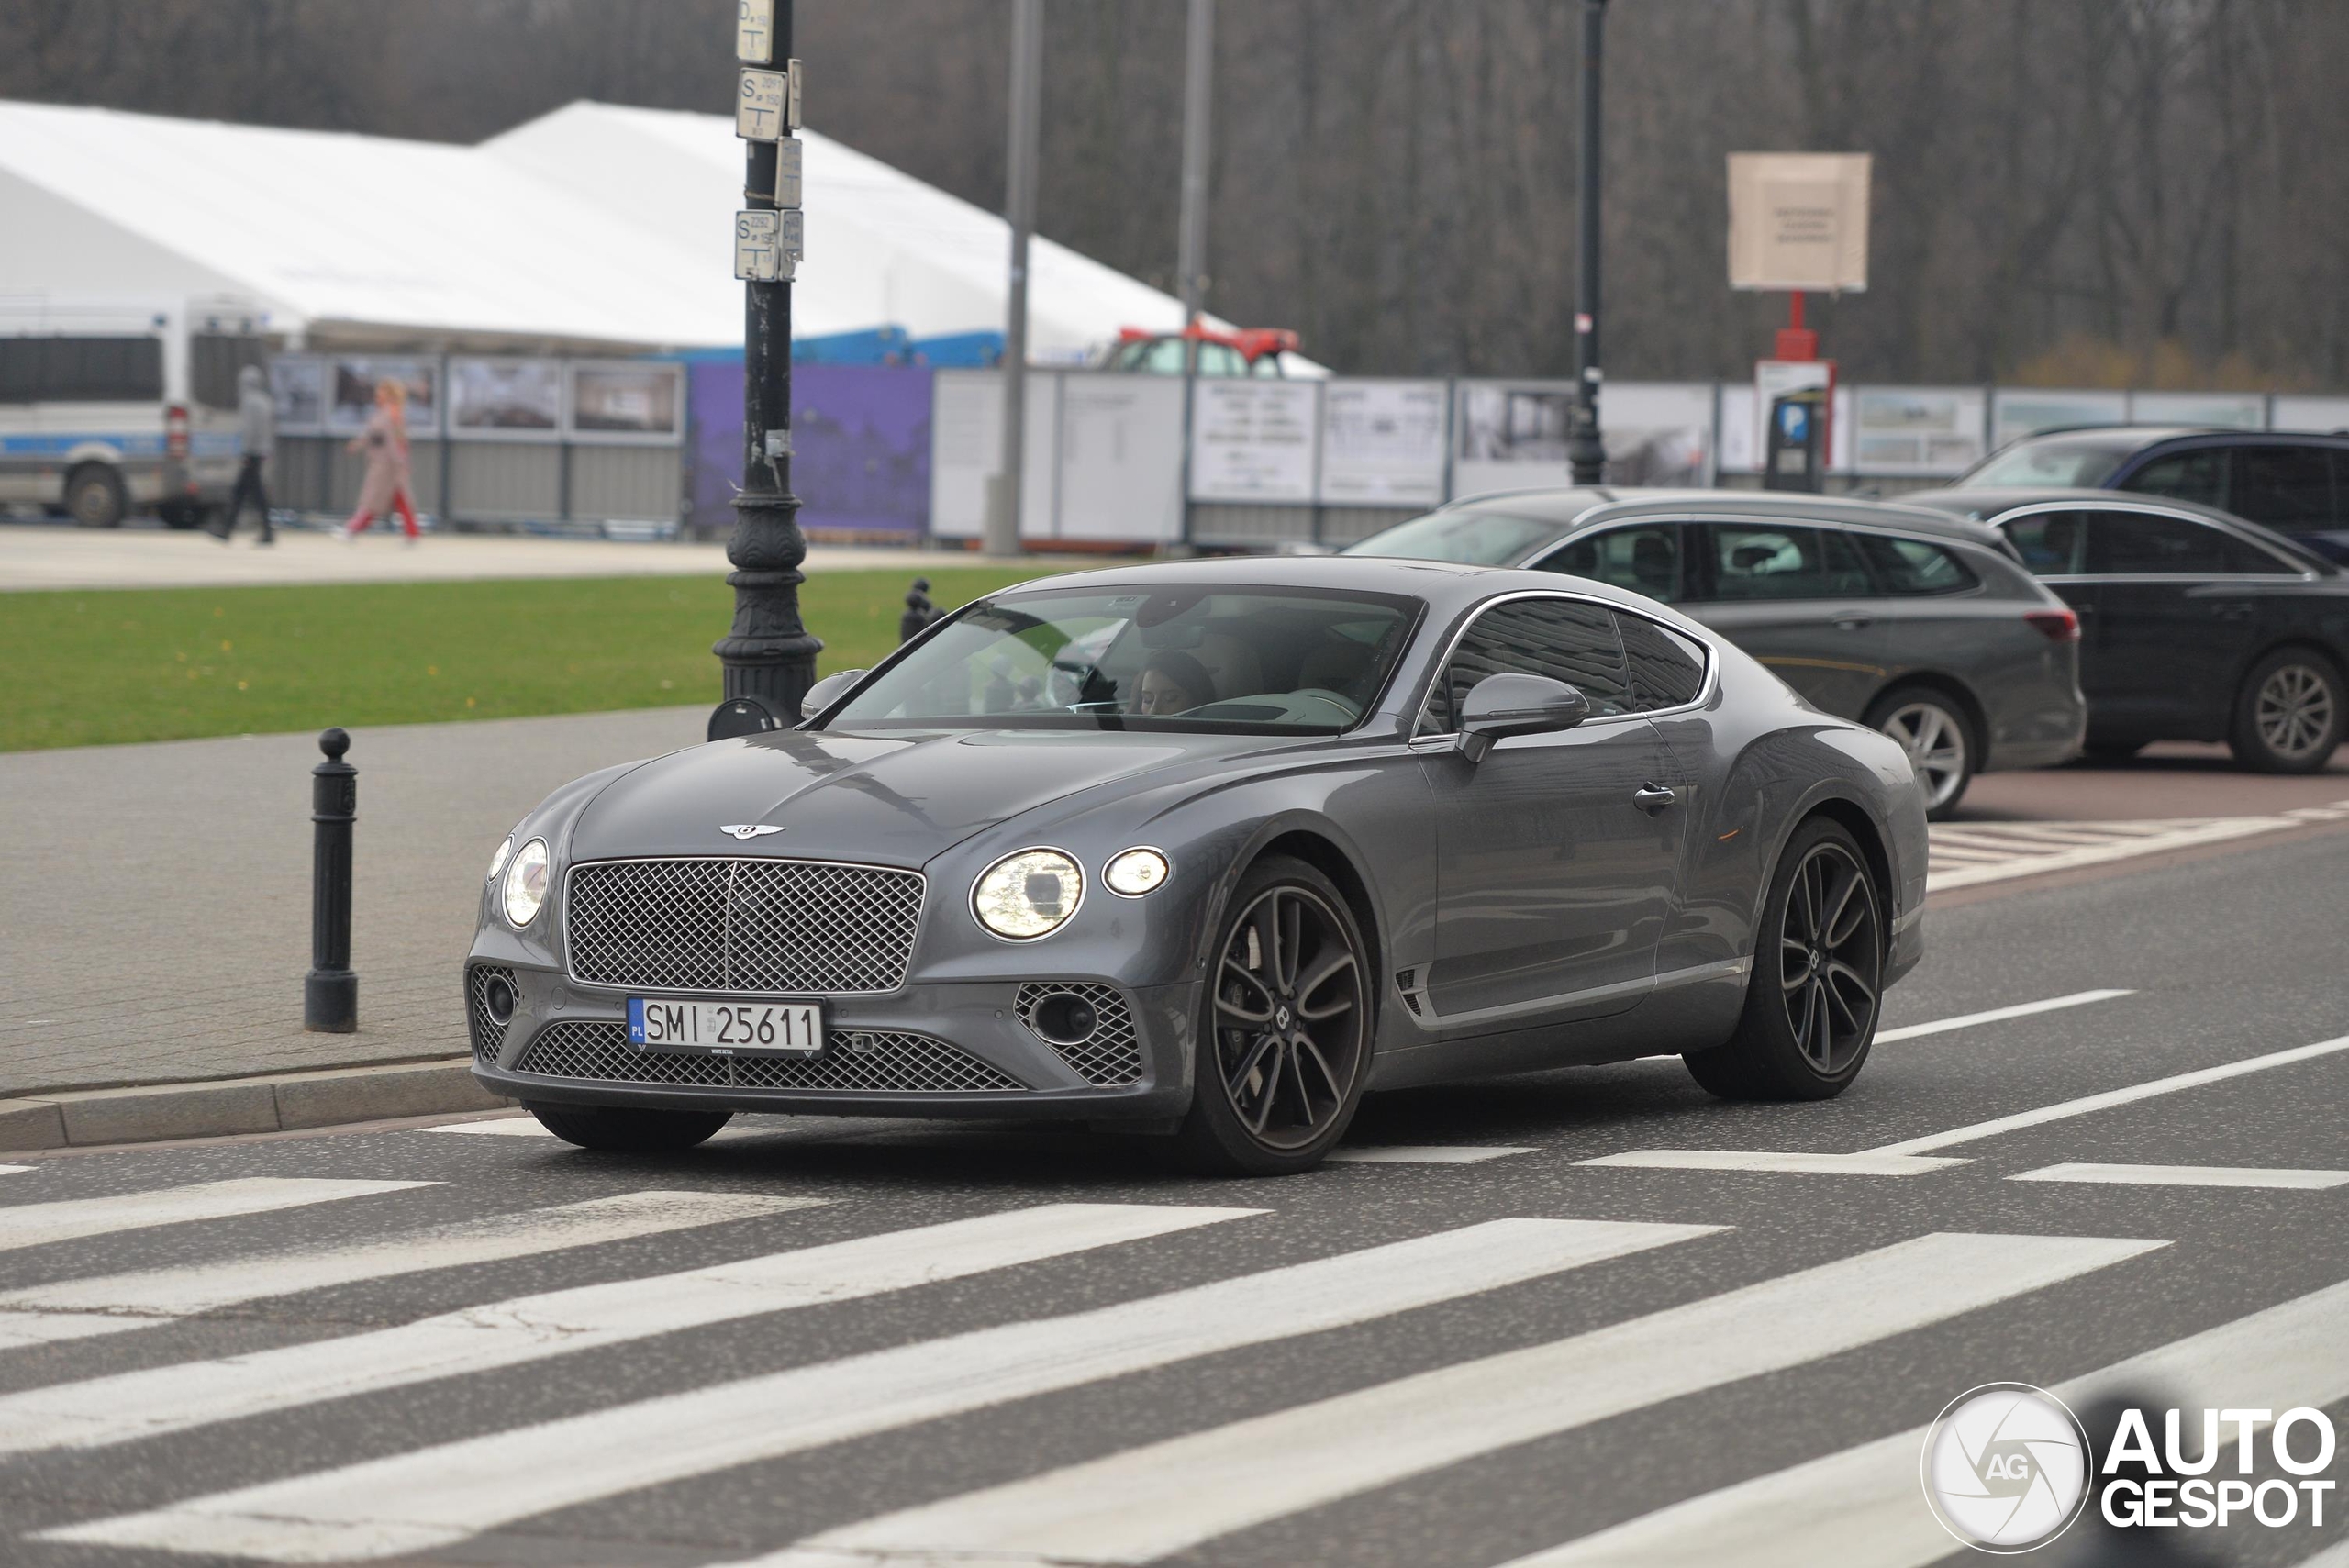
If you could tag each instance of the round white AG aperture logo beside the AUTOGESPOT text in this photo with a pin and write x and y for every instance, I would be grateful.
(2007, 1468)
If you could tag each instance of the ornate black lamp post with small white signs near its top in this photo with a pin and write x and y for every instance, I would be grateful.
(769, 654)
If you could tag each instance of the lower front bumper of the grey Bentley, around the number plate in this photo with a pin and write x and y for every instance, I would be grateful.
(929, 1050)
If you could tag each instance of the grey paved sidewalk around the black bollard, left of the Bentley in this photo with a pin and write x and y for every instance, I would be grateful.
(156, 900)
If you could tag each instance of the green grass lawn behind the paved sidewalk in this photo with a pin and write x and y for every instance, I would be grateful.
(126, 665)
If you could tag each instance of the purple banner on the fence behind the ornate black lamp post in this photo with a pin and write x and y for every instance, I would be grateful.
(861, 450)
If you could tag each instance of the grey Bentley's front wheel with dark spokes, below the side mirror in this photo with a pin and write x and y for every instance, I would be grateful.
(1274, 1100)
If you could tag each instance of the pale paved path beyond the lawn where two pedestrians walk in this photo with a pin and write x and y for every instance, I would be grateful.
(62, 557)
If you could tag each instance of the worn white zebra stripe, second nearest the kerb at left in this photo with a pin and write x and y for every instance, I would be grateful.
(86, 1309)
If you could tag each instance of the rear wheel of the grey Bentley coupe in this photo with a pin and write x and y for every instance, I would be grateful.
(1812, 1001)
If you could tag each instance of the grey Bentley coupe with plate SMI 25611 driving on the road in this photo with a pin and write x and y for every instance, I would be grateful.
(1206, 851)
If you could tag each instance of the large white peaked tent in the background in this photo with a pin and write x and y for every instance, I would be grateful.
(588, 229)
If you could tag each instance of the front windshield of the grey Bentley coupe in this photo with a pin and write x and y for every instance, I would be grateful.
(1185, 658)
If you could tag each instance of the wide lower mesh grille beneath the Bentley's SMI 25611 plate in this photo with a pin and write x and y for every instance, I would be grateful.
(863, 1062)
